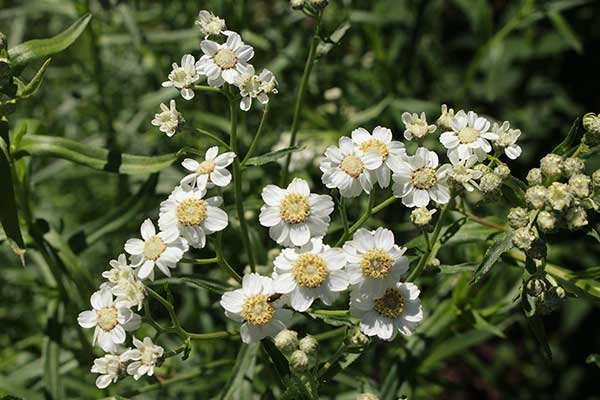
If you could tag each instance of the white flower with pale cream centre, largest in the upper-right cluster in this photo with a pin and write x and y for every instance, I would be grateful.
(470, 134)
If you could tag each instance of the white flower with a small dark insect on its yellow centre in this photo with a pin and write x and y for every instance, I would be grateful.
(252, 305)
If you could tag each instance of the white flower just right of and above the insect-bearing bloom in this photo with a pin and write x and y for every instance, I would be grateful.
(310, 272)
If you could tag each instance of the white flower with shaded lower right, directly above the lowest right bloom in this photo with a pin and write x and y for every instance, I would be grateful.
(374, 261)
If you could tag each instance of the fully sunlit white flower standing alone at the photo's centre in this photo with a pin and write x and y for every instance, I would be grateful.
(295, 215)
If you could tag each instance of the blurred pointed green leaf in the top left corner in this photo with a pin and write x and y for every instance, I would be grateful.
(26, 52)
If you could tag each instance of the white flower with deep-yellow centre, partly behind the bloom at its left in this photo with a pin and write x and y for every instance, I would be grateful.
(391, 151)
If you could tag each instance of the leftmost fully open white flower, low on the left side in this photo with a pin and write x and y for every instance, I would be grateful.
(109, 320)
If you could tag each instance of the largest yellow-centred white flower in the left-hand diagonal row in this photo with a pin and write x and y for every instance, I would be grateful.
(192, 216)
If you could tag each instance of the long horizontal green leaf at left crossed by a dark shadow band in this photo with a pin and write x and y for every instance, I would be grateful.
(95, 157)
